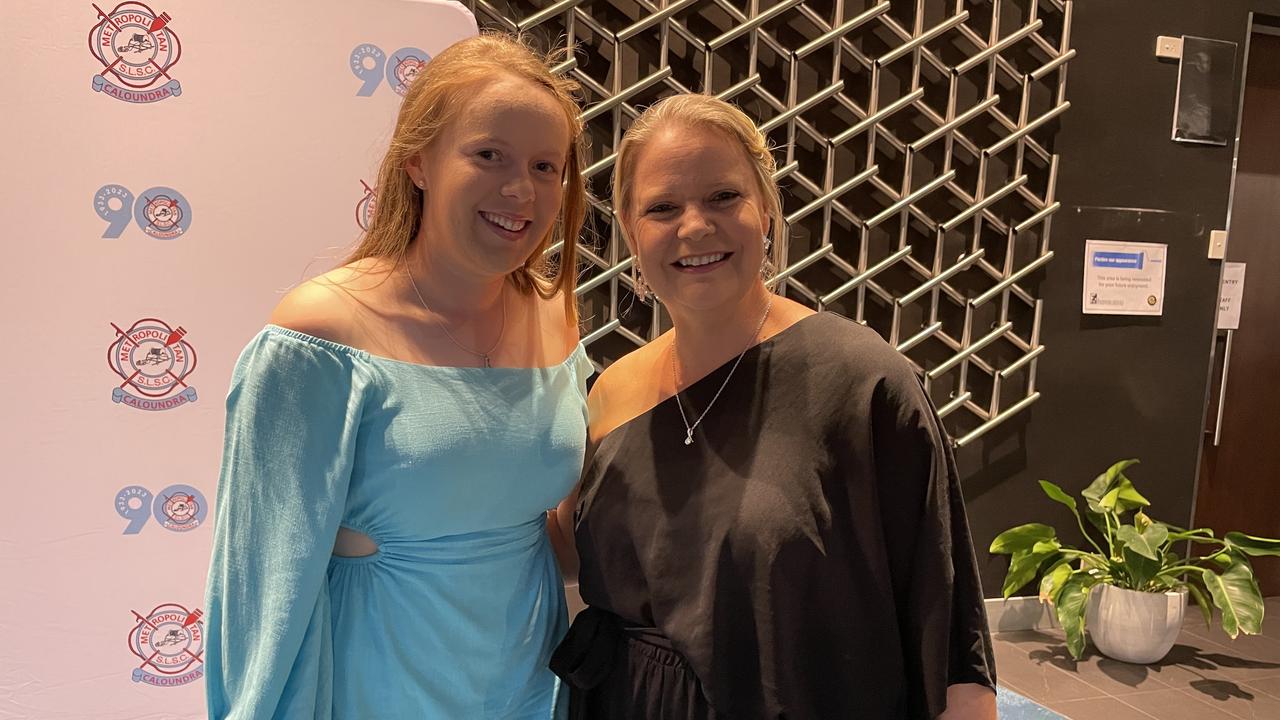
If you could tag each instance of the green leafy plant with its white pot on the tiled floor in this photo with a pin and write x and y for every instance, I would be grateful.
(1139, 576)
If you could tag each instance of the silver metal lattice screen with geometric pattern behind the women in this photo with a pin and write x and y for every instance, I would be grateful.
(915, 144)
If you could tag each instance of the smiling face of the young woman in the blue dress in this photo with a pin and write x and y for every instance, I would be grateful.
(492, 180)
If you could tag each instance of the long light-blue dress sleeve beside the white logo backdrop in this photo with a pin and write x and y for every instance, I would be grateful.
(292, 417)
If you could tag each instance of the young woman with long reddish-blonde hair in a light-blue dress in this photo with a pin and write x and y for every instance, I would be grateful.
(397, 432)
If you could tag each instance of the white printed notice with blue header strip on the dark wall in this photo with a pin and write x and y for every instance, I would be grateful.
(1124, 279)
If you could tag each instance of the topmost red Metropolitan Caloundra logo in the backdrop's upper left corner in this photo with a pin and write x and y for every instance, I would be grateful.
(138, 49)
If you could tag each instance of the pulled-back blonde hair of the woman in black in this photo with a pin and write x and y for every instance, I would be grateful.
(700, 111)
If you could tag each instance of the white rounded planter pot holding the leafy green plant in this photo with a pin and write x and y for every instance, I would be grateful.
(1135, 627)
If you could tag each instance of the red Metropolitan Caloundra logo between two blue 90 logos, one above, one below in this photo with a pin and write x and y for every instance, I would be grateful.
(153, 361)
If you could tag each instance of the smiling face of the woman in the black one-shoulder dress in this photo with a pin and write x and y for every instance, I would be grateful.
(697, 220)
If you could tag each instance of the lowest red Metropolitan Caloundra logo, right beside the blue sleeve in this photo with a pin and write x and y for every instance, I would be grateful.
(171, 644)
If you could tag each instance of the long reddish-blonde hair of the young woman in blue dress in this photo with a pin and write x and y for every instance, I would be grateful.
(431, 104)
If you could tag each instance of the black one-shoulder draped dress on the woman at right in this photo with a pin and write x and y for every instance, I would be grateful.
(807, 558)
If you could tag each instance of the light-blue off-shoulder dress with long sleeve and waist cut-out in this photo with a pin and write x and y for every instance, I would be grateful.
(450, 471)
